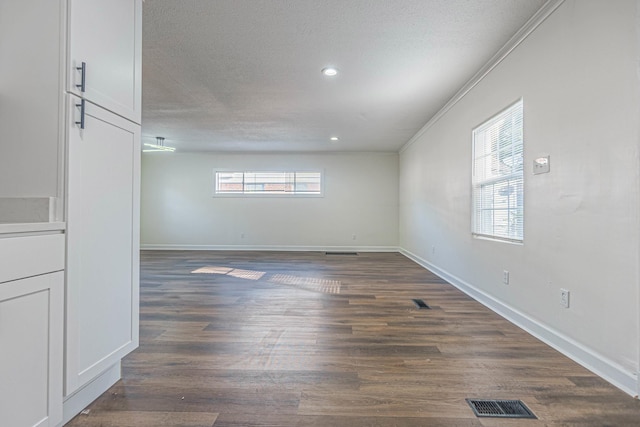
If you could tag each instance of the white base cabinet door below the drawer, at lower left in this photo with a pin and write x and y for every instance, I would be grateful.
(31, 333)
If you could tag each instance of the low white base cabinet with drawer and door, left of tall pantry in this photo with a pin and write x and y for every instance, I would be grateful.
(31, 330)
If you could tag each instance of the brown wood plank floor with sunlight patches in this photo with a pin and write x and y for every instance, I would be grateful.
(308, 339)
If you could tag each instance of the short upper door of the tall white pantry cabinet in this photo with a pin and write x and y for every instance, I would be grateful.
(106, 36)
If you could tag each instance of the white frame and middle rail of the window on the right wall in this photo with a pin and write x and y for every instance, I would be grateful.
(477, 185)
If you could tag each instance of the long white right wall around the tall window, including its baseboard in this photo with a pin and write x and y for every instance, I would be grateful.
(577, 74)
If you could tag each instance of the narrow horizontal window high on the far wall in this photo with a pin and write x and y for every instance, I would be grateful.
(278, 183)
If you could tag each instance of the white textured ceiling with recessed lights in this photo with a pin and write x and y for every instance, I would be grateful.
(244, 75)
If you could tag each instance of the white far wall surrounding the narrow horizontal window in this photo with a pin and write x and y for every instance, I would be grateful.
(360, 197)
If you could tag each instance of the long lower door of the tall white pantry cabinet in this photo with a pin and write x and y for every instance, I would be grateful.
(102, 242)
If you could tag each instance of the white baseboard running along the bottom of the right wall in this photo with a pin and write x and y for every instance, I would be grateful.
(593, 361)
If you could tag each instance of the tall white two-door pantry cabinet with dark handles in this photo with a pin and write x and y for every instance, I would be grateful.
(103, 113)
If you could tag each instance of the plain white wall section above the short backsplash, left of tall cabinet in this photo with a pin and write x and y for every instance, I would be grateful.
(30, 88)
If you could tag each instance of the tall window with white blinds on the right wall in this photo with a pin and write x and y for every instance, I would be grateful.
(498, 176)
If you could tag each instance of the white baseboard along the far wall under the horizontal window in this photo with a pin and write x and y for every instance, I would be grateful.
(169, 247)
